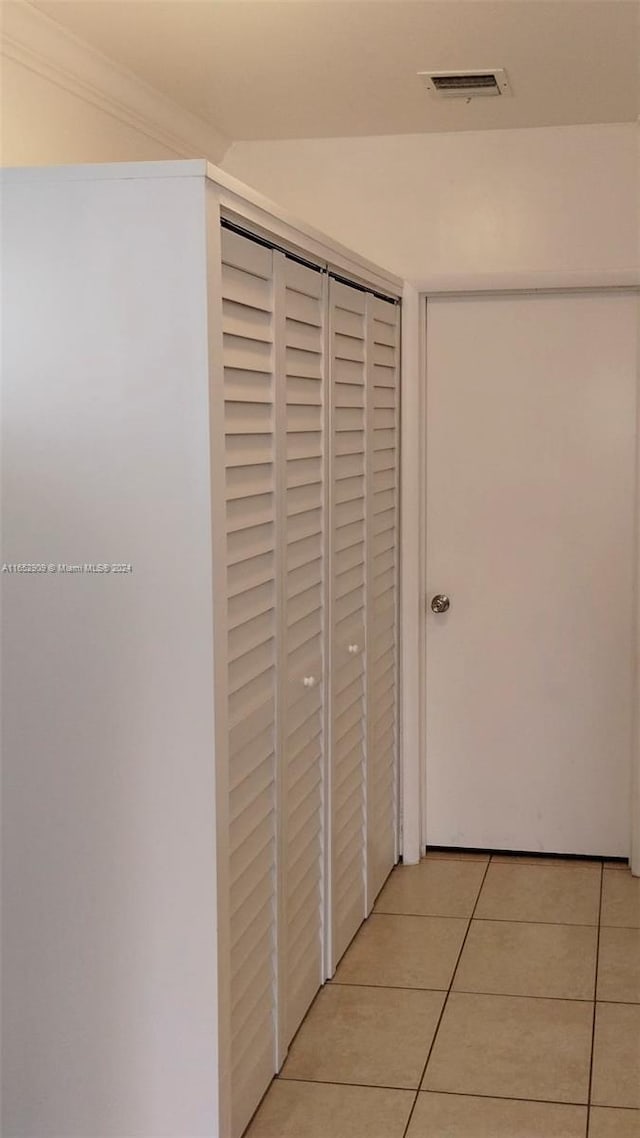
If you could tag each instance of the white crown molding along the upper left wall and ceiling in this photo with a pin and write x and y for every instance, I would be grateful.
(44, 46)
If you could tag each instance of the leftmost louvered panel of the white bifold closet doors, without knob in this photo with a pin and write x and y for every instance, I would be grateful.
(249, 327)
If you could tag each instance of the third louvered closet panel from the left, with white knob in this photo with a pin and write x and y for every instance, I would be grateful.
(348, 308)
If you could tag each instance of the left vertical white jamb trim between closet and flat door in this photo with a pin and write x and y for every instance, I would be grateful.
(413, 589)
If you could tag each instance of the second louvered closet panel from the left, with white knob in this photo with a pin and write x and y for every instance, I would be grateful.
(301, 320)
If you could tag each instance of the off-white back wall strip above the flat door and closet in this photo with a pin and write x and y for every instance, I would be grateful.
(440, 208)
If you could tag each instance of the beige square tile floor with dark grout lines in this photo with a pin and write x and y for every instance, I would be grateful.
(486, 997)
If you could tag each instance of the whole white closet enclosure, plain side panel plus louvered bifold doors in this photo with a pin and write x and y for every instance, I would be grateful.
(200, 776)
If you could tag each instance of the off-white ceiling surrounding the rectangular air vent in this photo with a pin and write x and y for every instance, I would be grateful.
(314, 69)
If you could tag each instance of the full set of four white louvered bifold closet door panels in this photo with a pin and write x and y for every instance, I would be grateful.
(302, 351)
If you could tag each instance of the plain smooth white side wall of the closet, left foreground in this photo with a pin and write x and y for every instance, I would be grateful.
(110, 878)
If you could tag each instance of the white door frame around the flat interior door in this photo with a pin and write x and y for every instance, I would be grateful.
(414, 529)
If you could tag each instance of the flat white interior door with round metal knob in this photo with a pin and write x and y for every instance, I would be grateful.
(531, 440)
